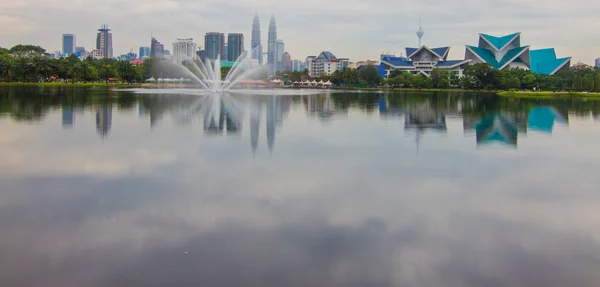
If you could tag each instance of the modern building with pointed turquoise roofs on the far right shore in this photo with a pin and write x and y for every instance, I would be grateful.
(506, 52)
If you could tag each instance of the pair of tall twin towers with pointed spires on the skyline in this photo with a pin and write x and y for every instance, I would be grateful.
(257, 47)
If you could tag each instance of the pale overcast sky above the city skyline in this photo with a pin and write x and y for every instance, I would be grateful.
(354, 29)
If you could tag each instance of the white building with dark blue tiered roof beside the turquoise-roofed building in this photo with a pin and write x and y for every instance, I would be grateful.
(422, 61)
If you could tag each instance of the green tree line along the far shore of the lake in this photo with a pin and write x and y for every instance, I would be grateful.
(28, 63)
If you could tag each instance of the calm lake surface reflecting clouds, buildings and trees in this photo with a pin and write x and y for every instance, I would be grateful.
(106, 188)
